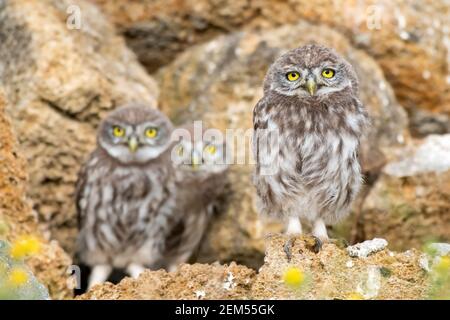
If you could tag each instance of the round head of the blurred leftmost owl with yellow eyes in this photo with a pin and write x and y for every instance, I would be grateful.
(135, 134)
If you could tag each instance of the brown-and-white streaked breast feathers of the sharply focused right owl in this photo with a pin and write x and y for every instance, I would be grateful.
(316, 151)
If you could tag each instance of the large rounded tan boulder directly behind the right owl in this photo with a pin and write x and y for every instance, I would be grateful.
(220, 82)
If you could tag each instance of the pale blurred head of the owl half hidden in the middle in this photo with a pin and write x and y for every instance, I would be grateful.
(203, 152)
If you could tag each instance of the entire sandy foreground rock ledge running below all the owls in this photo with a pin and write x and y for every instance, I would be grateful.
(323, 275)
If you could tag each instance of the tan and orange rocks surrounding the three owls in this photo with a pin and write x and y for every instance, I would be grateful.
(206, 59)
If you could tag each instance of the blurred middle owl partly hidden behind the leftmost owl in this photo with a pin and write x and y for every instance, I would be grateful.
(200, 164)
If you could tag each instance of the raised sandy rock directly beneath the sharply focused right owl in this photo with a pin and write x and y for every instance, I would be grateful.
(333, 274)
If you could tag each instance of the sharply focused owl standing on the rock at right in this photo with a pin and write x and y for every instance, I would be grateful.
(307, 130)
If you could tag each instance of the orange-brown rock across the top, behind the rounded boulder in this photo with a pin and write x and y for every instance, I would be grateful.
(410, 39)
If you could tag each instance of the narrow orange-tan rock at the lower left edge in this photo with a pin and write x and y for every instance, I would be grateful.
(17, 217)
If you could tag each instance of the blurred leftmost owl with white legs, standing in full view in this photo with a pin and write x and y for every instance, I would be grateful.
(126, 193)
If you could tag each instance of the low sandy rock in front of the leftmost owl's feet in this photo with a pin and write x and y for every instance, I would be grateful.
(189, 282)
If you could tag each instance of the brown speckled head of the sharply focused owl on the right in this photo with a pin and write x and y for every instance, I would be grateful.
(310, 71)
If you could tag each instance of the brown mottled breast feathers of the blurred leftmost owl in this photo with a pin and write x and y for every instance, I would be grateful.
(120, 207)
